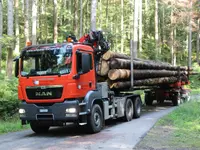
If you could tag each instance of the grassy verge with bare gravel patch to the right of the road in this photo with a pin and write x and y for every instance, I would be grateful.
(179, 130)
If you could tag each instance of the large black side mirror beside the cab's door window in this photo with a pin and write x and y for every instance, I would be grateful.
(86, 61)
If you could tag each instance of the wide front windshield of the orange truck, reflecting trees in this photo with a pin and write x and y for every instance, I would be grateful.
(47, 61)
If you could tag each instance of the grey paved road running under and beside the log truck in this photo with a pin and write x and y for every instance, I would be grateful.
(116, 135)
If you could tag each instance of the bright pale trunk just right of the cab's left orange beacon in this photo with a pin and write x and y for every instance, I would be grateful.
(34, 22)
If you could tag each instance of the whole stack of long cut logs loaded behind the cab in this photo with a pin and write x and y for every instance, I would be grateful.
(115, 68)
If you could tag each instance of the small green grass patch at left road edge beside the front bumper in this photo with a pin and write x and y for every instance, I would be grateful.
(11, 124)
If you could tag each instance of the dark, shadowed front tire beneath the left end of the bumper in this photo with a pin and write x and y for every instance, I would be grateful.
(38, 128)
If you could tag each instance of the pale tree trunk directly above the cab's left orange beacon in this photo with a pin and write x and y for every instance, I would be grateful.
(26, 20)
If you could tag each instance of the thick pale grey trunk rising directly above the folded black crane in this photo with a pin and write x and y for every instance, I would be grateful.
(93, 14)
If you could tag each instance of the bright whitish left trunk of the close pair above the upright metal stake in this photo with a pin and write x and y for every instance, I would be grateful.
(135, 38)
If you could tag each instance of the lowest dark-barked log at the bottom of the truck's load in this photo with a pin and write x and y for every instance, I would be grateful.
(144, 82)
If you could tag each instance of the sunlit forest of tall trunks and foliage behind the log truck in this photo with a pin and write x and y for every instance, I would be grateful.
(164, 30)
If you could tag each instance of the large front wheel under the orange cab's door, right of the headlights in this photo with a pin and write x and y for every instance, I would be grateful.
(95, 119)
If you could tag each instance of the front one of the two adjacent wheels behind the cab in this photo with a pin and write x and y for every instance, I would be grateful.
(129, 110)
